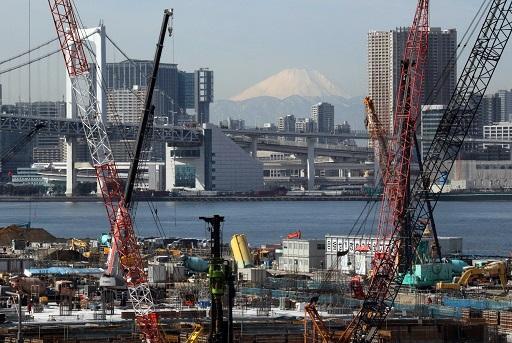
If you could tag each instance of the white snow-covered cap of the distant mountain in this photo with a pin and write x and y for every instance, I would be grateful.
(289, 82)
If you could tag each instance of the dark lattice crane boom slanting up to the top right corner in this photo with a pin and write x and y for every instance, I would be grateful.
(421, 200)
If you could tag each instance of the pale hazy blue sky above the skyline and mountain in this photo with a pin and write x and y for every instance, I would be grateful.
(243, 41)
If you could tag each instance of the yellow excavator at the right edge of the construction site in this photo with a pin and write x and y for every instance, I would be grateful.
(477, 275)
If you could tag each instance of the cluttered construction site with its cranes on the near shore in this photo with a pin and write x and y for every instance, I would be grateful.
(402, 284)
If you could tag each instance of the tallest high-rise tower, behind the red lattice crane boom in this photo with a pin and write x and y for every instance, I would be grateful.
(385, 52)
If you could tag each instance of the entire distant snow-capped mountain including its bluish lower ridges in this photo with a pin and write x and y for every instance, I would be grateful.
(291, 91)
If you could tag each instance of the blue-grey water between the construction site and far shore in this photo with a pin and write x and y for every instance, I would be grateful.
(483, 225)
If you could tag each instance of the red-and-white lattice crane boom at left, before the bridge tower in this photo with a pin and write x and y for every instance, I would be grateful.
(118, 215)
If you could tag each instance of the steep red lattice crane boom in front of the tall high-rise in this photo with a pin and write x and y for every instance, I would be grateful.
(393, 216)
